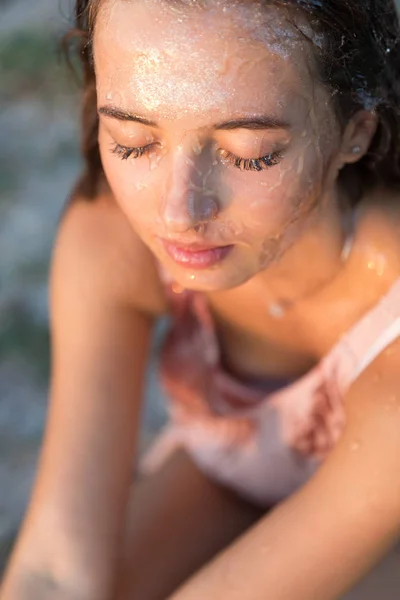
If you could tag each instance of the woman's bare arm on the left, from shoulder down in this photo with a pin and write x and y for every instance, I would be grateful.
(103, 297)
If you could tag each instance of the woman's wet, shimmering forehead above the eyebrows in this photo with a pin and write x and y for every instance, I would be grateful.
(172, 61)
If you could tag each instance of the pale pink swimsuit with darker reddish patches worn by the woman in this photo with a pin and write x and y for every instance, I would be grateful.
(262, 443)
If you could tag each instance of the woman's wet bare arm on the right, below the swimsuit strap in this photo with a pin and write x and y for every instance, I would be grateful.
(324, 539)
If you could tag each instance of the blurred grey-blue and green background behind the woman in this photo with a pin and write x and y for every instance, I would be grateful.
(39, 161)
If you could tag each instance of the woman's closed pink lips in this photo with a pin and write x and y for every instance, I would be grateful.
(196, 256)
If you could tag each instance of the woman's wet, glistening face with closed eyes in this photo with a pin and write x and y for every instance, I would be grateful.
(220, 146)
